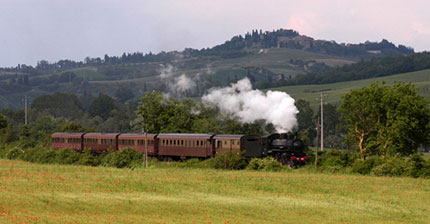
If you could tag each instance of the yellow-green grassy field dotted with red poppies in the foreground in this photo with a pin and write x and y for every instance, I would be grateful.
(31, 193)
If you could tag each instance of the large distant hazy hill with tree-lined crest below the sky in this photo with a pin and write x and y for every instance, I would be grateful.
(268, 59)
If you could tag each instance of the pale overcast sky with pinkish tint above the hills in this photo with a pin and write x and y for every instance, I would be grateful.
(32, 30)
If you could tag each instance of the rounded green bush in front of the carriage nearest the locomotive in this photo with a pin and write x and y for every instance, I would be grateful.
(230, 160)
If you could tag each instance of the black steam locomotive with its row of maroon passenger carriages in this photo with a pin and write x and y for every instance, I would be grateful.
(286, 148)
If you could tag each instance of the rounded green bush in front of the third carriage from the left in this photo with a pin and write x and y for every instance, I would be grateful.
(127, 157)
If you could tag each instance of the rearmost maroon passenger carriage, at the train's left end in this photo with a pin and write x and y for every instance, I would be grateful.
(68, 140)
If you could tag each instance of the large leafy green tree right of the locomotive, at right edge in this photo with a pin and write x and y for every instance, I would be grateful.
(386, 120)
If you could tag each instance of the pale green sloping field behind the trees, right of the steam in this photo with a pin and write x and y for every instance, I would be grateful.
(335, 91)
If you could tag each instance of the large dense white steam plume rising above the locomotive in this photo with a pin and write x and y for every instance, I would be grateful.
(250, 105)
